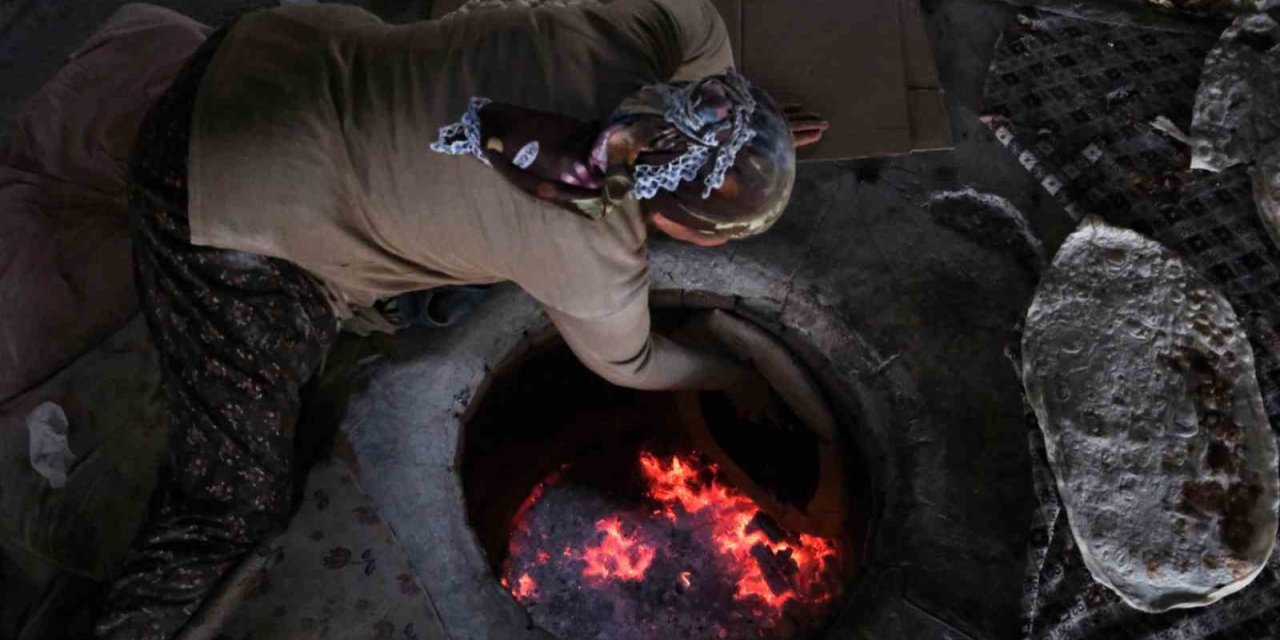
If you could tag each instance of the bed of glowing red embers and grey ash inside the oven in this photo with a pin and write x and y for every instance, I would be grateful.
(694, 559)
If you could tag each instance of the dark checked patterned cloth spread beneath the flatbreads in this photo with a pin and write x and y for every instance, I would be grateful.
(1073, 102)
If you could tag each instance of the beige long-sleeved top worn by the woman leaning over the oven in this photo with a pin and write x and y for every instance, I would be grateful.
(310, 143)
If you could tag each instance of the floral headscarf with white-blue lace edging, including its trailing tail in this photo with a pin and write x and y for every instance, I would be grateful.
(715, 156)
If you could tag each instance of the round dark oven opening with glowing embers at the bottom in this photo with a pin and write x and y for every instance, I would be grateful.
(602, 511)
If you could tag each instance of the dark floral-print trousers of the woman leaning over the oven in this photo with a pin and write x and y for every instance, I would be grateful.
(239, 337)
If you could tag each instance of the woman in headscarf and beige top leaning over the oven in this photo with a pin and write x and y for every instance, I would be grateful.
(313, 158)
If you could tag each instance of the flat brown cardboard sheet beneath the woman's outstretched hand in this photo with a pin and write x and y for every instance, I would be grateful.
(866, 66)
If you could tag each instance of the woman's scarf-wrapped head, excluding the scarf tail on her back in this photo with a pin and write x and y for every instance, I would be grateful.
(715, 157)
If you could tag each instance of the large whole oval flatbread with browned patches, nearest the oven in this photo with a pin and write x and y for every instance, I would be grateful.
(1142, 380)
